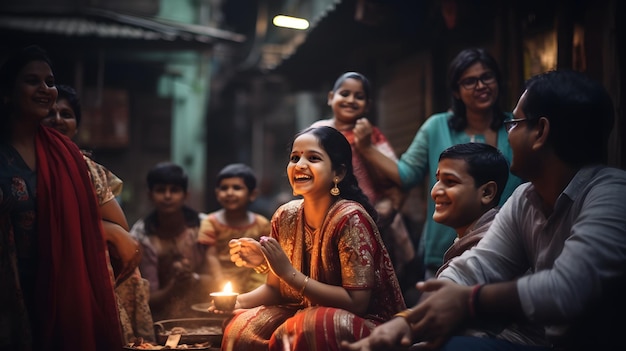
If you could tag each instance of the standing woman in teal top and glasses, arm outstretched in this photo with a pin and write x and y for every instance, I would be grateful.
(475, 116)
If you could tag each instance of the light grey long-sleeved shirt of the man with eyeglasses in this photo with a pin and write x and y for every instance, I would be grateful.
(577, 254)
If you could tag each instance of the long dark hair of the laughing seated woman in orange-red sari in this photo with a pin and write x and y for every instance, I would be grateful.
(340, 153)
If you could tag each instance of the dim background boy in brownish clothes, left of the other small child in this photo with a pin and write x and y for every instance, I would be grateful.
(180, 271)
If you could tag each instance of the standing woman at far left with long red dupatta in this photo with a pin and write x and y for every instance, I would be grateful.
(55, 286)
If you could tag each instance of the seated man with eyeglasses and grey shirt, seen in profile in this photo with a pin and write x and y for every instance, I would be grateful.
(555, 255)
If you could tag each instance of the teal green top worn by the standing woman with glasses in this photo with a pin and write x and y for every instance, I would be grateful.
(422, 156)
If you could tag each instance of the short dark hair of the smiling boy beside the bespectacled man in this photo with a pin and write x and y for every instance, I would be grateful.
(484, 163)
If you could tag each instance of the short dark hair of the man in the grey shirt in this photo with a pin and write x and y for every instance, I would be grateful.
(580, 112)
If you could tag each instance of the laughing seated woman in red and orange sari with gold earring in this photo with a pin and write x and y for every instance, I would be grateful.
(330, 276)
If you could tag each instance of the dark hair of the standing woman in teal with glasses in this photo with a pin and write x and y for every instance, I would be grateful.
(458, 66)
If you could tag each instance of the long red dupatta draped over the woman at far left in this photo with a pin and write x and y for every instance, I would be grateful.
(76, 302)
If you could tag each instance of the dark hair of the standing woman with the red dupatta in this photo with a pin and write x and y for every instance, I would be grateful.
(8, 78)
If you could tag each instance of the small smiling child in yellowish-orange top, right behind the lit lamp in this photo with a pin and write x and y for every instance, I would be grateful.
(235, 190)
